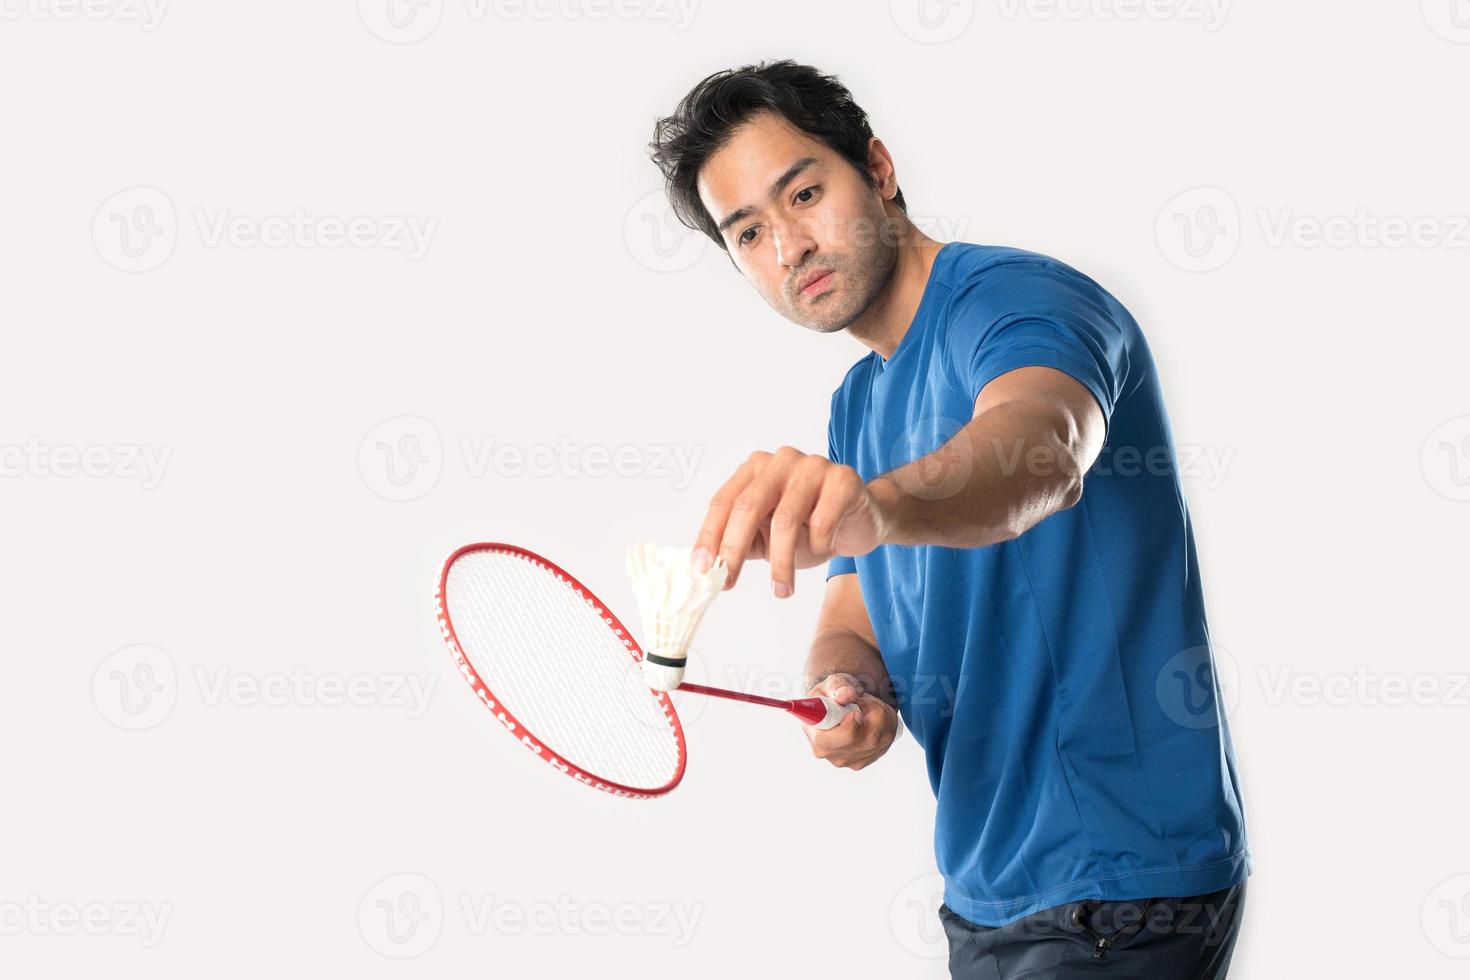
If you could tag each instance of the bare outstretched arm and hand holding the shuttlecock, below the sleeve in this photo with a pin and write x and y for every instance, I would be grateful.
(1019, 461)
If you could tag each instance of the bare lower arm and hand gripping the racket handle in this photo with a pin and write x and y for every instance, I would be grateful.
(846, 666)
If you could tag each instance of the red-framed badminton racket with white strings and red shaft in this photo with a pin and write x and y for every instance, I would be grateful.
(565, 677)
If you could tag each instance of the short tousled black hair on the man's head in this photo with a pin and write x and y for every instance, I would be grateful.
(705, 120)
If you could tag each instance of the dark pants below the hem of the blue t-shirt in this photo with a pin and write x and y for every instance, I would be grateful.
(1150, 940)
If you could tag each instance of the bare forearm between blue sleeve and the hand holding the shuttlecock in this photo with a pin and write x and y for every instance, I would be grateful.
(1005, 472)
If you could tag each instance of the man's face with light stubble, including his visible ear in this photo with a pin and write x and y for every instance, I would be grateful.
(802, 224)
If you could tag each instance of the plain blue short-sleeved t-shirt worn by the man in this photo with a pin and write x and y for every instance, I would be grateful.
(1061, 684)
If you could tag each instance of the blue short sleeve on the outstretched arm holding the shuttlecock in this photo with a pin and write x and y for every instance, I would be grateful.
(1041, 317)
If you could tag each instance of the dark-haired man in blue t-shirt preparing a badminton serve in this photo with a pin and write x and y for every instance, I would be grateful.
(1011, 562)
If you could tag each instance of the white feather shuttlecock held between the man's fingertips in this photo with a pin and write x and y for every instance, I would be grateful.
(673, 599)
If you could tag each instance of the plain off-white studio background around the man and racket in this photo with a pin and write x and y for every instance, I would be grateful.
(558, 306)
